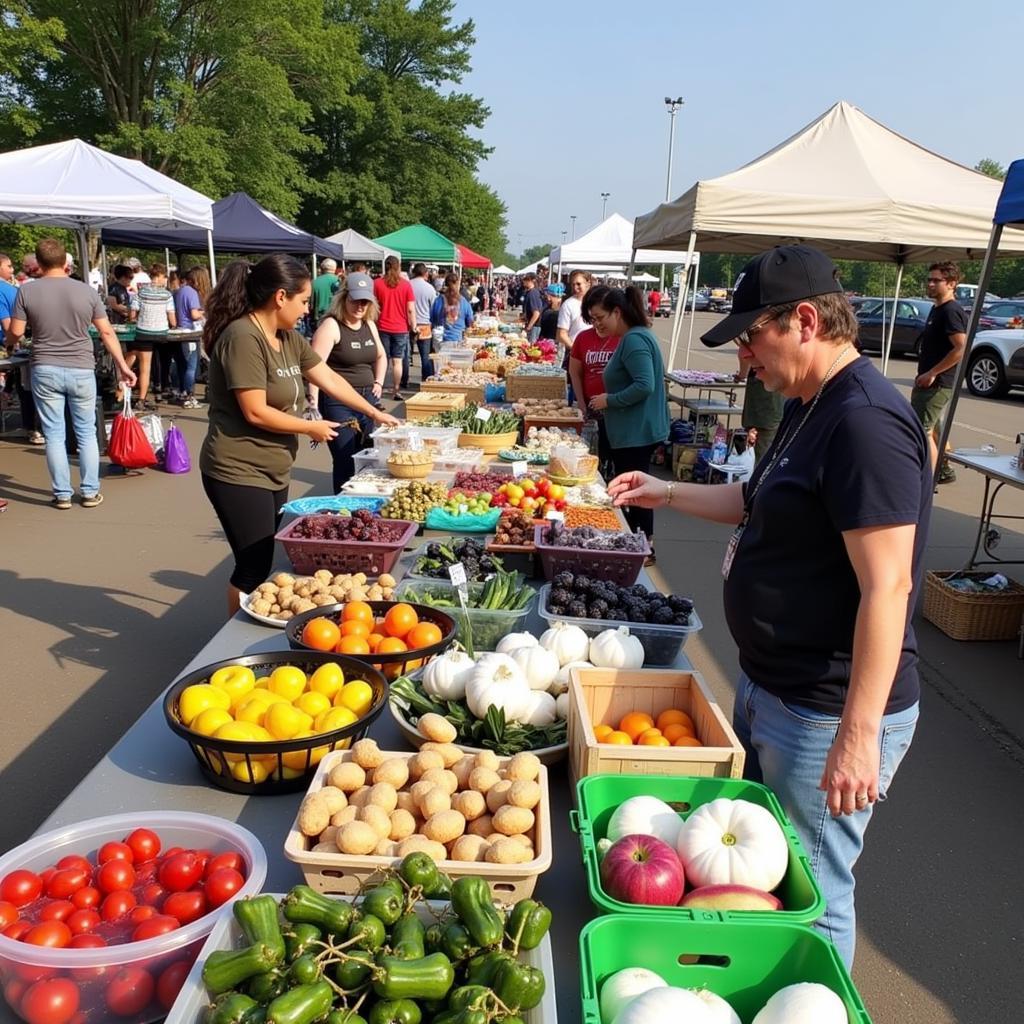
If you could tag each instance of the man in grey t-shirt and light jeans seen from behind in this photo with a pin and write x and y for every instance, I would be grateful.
(64, 367)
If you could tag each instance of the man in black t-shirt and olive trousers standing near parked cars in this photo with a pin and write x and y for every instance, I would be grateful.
(943, 346)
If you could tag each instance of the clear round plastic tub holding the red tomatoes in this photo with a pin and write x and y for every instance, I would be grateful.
(19, 961)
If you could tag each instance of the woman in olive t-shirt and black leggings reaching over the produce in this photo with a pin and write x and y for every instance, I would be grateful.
(259, 365)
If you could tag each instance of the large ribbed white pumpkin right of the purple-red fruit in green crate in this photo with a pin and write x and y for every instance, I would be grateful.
(729, 842)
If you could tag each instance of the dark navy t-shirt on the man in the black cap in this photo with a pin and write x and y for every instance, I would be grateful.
(792, 595)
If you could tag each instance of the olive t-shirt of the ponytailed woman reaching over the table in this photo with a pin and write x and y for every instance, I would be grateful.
(235, 451)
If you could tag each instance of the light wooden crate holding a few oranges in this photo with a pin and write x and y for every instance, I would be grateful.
(599, 696)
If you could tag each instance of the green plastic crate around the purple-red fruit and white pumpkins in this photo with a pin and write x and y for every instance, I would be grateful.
(599, 796)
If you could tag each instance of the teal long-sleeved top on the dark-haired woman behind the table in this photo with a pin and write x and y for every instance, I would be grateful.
(634, 381)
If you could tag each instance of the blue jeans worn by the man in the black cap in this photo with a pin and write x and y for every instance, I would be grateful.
(787, 746)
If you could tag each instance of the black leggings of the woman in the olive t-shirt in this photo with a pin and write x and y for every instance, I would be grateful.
(250, 518)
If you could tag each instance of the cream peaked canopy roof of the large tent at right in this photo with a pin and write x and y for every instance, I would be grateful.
(845, 184)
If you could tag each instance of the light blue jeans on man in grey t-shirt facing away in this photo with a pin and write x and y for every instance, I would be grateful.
(53, 388)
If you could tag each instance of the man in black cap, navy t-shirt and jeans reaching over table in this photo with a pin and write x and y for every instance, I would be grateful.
(822, 566)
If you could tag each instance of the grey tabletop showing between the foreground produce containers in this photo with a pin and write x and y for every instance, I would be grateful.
(151, 769)
